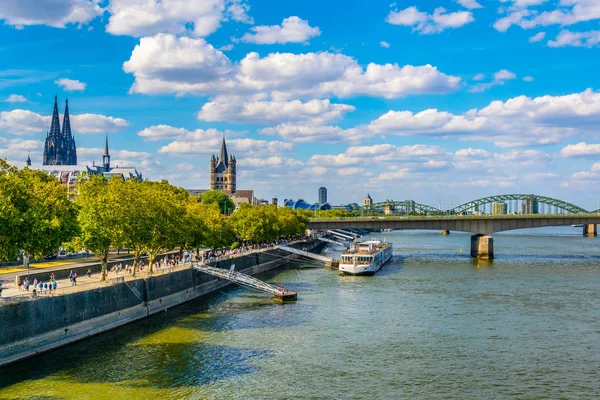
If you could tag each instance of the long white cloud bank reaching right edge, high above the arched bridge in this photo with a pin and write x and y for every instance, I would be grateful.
(517, 122)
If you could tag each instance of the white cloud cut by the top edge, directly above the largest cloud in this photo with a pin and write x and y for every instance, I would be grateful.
(195, 17)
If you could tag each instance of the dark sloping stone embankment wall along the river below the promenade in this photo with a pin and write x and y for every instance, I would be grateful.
(35, 326)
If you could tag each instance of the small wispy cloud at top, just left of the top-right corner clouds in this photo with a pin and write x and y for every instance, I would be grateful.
(429, 23)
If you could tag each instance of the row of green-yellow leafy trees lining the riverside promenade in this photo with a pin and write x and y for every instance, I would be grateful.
(37, 217)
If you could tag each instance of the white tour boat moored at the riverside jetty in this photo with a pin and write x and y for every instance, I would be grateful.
(365, 258)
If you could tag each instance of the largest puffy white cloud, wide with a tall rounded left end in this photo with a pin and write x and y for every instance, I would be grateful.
(169, 64)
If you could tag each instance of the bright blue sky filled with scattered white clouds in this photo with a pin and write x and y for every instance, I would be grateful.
(431, 100)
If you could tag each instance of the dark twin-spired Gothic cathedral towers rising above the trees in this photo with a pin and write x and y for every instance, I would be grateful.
(59, 148)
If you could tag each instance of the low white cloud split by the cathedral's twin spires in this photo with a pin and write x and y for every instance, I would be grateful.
(23, 122)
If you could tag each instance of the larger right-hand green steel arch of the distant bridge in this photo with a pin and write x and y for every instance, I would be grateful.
(532, 207)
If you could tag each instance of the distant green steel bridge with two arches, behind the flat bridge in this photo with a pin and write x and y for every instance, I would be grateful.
(515, 203)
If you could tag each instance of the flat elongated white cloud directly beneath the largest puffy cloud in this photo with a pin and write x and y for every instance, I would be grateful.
(236, 109)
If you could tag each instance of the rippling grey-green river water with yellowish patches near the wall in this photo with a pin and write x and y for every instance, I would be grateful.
(432, 324)
